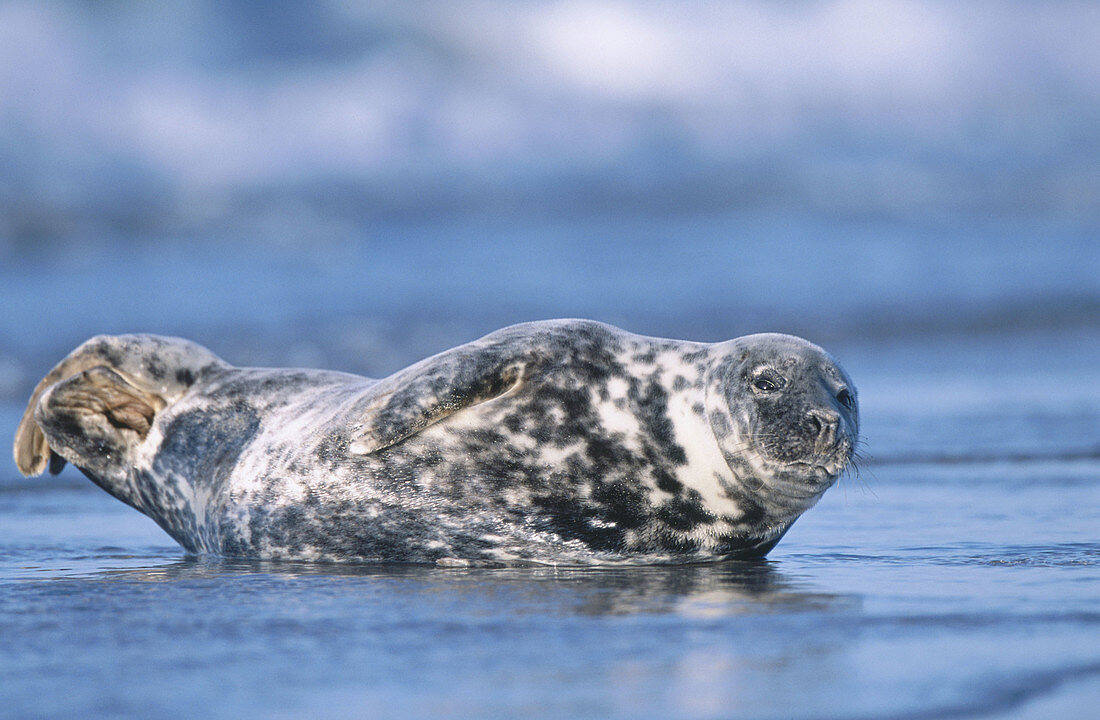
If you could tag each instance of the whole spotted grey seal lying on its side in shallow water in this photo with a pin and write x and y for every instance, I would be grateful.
(565, 441)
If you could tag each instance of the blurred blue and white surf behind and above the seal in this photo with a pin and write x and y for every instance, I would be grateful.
(359, 185)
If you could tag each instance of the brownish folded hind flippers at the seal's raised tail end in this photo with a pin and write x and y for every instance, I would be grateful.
(94, 417)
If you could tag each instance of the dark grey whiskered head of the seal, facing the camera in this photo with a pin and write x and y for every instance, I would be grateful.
(786, 417)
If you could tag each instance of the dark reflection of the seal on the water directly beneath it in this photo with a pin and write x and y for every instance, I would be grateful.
(734, 588)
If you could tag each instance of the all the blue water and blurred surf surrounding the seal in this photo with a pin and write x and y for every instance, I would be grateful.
(914, 186)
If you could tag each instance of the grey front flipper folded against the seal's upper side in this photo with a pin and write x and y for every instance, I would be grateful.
(446, 384)
